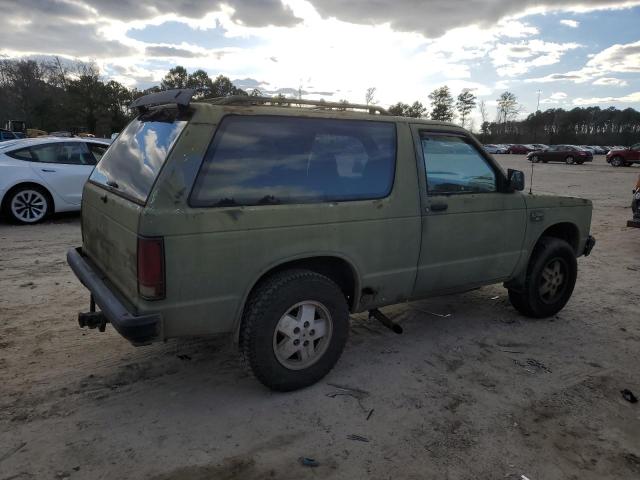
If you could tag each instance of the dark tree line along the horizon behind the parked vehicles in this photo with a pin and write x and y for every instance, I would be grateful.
(54, 95)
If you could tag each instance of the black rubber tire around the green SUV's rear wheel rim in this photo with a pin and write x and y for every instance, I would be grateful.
(268, 304)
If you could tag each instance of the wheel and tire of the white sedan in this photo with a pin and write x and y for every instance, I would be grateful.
(36, 201)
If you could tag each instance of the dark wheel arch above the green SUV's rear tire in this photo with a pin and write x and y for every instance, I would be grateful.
(336, 267)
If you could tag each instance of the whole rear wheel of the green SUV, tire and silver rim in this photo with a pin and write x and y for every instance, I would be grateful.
(294, 328)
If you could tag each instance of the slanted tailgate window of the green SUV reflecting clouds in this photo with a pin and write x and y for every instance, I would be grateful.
(134, 159)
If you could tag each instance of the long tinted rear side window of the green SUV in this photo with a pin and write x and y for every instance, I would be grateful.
(262, 160)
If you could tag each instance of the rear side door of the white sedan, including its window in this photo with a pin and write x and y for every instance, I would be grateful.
(65, 167)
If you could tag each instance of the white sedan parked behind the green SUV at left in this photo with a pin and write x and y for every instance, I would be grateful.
(40, 176)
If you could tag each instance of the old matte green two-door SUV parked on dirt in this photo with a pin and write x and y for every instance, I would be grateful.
(274, 223)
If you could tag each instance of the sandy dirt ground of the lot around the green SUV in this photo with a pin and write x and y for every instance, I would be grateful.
(471, 390)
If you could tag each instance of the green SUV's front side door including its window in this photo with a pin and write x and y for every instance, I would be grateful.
(472, 228)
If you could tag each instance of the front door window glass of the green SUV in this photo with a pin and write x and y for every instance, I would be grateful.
(454, 165)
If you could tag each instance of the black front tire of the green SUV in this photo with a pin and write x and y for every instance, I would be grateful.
(548, 253)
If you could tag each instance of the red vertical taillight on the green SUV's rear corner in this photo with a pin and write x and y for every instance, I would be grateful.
(151, 268)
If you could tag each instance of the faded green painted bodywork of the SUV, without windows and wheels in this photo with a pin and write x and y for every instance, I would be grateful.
(397, 248)
